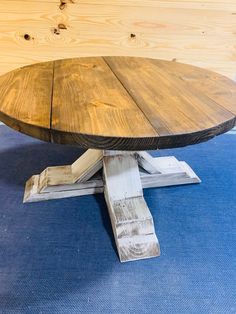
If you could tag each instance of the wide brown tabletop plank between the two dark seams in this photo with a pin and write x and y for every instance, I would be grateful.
(88, 100)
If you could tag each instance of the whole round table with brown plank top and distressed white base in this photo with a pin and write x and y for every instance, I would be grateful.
(117, 107)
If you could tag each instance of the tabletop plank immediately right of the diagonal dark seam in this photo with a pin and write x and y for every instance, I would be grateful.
(160, 93)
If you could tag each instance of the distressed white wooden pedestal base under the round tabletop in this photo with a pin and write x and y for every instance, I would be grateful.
(125, 174)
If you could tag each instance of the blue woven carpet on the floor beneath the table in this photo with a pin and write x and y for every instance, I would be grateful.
(59, 256)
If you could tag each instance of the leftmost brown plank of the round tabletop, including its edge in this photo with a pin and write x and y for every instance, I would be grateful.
(25, 96)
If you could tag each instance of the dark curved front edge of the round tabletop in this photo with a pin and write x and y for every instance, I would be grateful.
(117, 143)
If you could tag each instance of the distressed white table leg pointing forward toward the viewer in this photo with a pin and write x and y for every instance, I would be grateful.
(131, 219)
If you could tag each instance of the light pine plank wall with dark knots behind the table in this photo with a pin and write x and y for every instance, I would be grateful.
(194, 32)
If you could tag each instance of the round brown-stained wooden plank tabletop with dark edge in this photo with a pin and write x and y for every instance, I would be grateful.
(123, 103)
